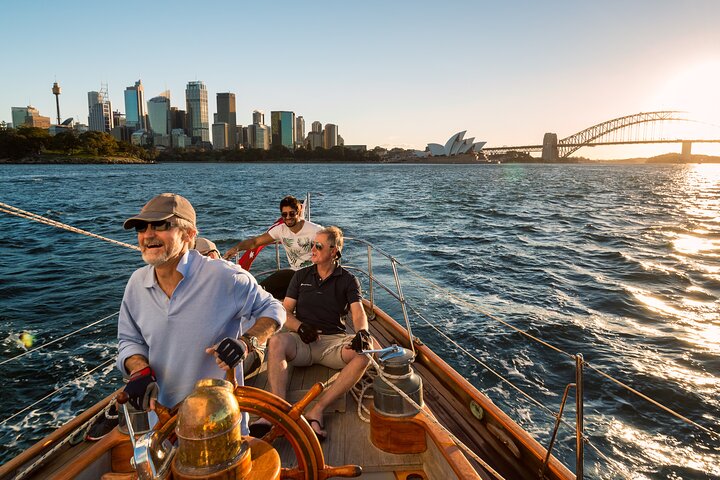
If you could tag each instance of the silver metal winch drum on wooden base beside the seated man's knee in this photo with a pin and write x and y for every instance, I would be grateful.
(396, 374)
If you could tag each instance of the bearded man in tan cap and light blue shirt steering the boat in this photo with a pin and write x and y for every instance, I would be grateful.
(181, 309)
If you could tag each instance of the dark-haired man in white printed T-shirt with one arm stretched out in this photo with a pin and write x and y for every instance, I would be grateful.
(295, 233)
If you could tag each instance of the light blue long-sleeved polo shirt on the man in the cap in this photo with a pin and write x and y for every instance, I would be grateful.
(209, 304)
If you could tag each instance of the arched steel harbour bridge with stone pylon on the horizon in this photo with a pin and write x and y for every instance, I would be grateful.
(640, 128)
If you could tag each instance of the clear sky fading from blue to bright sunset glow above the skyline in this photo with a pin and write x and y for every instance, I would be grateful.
(390, 73)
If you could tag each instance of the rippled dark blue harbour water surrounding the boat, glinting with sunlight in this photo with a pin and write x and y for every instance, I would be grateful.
(618, 263)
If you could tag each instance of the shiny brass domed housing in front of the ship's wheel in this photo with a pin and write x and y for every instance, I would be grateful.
(208, 431)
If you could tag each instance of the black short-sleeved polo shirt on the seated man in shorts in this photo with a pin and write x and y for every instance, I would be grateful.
(321, 304)
